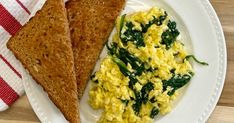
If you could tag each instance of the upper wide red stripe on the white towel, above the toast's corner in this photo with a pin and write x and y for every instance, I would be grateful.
(8, 22)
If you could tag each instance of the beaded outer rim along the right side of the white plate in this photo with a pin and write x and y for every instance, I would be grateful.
(222, 52)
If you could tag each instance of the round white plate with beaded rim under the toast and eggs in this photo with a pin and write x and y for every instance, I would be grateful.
(203, 36)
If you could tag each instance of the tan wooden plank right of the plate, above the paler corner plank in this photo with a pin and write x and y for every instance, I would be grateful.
(225, 11)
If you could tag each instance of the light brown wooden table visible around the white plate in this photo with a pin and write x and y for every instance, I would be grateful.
(21, 111)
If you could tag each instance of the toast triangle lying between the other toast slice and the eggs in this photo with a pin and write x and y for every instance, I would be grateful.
(91, 22)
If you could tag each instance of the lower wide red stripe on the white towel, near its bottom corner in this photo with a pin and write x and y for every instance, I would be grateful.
(7, 94)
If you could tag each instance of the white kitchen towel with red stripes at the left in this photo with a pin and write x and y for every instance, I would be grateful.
(13, 15)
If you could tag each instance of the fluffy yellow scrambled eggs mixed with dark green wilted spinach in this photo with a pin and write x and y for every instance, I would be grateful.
(145, 66)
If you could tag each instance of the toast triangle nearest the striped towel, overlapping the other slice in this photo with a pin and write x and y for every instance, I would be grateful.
(44, 47)
